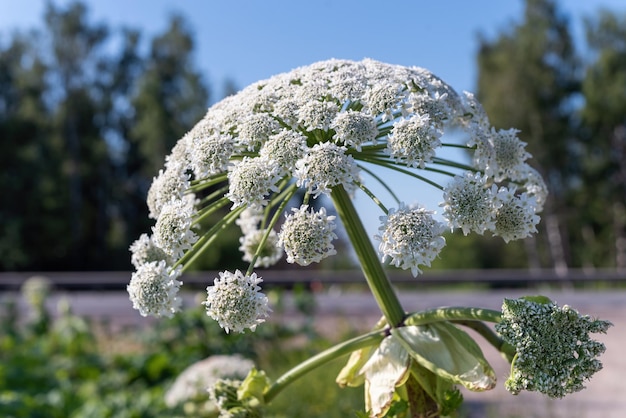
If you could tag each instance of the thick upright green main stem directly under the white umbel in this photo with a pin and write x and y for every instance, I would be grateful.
(372, 268)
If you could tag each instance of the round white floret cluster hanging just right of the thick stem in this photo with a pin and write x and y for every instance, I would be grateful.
(410, 238)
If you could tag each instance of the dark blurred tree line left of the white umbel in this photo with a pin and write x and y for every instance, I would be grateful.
(84, 128)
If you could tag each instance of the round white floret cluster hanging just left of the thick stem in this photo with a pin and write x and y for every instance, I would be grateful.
(306, 236)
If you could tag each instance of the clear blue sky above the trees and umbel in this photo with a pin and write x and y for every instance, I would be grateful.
(249, 40)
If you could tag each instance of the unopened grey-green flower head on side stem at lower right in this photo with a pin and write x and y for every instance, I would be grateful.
(555, 354)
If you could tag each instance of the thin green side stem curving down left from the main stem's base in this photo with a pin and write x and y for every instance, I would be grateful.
(322, 358)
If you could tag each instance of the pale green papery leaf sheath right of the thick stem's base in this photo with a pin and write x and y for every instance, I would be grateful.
(449, 353)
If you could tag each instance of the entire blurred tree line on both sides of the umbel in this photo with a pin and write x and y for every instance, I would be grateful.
(85, 126)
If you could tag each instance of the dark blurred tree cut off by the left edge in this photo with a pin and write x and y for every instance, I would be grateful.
(25, 157)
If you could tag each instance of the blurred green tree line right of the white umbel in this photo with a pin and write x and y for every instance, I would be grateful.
(569, 101)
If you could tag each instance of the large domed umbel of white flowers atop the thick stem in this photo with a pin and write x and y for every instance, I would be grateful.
(333, 124)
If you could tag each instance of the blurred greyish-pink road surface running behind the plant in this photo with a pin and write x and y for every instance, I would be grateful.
(605, 395)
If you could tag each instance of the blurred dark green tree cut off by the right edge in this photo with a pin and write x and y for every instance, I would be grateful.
(604, 123)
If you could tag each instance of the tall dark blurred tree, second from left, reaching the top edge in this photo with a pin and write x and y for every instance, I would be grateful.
(77, 67)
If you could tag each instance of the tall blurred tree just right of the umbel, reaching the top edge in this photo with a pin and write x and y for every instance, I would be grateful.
(527, 80)
